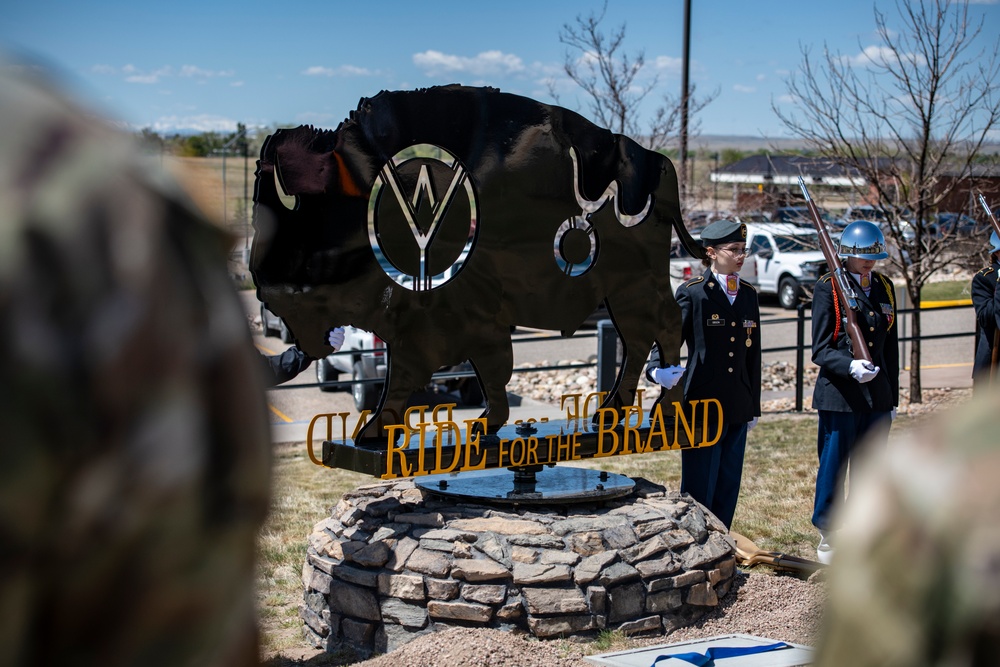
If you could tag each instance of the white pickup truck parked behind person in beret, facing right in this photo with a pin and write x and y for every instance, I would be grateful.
(784, 259)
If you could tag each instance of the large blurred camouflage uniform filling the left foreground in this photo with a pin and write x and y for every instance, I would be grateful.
(134, 459)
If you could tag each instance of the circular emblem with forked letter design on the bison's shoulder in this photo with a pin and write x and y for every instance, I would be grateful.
(422, 217)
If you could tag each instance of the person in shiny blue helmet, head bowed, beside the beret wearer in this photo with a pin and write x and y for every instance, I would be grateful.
(854, 401)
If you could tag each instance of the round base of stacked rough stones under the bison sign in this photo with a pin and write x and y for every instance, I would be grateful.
(392, 563)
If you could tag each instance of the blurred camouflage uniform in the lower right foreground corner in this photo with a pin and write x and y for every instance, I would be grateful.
(916, 577)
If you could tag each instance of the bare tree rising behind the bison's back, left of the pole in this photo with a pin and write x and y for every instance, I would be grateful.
(611, 79)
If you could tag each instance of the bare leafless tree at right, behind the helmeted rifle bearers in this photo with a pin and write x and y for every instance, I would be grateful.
(911, 116)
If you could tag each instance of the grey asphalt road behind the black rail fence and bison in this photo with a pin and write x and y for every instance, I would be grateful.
(945, 362)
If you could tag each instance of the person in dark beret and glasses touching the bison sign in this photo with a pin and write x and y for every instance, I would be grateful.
(720, 323)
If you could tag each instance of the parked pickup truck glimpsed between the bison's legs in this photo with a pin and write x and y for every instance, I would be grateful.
(363, 357)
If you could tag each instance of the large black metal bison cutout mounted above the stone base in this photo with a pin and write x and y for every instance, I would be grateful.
(441, 218)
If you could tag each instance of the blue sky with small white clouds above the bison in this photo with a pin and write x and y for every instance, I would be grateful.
(186, 65)
